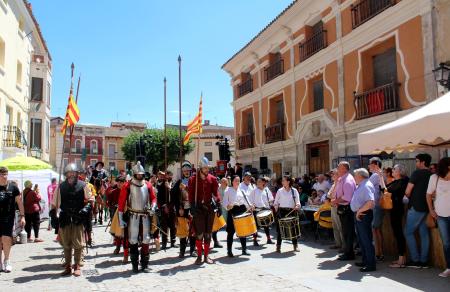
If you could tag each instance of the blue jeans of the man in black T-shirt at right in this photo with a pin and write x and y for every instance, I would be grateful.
(416, 220)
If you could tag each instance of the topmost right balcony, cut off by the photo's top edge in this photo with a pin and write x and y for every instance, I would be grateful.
(364, 10)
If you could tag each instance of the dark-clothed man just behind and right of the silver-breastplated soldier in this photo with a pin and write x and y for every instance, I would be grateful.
(166, 205)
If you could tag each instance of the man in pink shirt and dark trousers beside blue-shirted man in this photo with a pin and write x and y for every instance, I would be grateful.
(344, 192)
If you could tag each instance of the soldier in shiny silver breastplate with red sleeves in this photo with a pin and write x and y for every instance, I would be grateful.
(137, 205)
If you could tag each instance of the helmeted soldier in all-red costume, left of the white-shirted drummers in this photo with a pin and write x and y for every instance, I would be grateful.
(202, 188)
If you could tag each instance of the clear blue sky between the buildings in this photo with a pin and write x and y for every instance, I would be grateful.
(124, 49)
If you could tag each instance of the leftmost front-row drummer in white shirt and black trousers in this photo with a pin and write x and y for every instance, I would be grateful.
(237, 203)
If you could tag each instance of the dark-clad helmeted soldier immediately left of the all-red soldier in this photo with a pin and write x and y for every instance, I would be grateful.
(181, 201)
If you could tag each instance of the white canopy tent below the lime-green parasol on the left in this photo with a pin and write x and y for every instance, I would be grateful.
(41, 177)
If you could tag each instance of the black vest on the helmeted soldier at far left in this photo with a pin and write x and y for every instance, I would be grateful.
(72, 198)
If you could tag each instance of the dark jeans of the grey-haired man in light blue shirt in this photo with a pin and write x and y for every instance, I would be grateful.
(364, 233)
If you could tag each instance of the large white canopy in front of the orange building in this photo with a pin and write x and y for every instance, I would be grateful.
(427, 127)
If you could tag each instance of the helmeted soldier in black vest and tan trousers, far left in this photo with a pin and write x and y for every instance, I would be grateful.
(74, 200)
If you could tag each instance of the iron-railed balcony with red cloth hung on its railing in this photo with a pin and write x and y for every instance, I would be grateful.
(377, 101)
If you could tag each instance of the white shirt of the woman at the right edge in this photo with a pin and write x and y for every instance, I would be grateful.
(442, 200)
